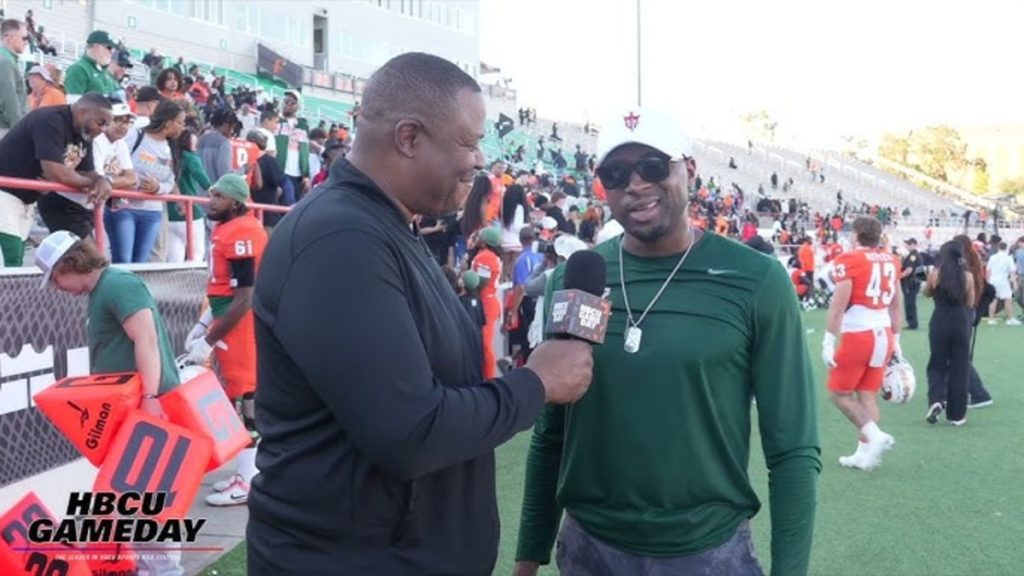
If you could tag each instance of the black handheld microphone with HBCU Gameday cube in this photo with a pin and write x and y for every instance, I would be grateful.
(580, 311)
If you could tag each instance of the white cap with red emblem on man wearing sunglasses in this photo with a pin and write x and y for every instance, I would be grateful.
(650, 127)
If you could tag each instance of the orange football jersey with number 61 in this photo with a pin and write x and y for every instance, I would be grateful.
(242, 237)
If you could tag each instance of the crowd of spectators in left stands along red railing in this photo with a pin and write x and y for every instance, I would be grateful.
(175, 137)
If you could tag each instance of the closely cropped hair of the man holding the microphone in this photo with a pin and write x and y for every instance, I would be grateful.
(415, 86)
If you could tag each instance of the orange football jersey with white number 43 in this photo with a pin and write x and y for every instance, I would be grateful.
(875, 275)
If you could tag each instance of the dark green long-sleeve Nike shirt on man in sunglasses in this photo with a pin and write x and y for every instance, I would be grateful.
(654, 459)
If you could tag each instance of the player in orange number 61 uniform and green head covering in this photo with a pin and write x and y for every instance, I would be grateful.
(227, 327)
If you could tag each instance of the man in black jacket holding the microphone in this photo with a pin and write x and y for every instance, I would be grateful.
(378, 430)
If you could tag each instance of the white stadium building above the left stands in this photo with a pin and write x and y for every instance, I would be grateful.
(353, 37)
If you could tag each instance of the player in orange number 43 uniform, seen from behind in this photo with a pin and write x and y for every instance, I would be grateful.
(867, 310)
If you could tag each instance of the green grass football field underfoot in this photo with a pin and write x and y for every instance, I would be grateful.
(948, 502)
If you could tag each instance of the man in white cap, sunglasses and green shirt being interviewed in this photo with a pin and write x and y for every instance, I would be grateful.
(651, 467)
